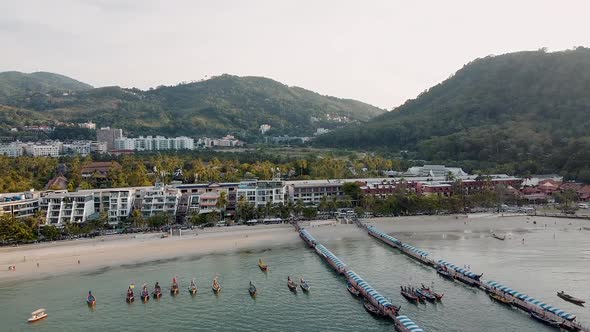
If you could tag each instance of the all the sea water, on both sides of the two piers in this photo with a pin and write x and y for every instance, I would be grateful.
(327, 307)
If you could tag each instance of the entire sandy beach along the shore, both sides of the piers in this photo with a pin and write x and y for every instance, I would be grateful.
(62, 257)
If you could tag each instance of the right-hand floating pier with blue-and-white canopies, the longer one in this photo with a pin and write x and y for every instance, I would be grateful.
(528, 304)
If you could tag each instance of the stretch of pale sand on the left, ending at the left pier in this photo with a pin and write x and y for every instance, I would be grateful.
(62, 257)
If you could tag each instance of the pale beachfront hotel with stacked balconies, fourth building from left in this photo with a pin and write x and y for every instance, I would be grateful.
(159, 199)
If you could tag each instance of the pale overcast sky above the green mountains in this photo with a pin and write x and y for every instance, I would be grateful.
(380, 52)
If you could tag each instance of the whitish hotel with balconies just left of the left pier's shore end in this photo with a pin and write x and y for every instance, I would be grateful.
(259, 193)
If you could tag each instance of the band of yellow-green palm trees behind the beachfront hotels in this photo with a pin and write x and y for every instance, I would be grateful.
(24, 173)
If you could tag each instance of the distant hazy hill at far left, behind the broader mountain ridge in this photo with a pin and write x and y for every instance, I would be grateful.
(14, 84)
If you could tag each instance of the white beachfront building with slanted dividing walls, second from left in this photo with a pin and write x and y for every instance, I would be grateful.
(67, 207)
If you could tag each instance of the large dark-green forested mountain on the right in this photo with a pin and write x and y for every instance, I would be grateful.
(525, 112)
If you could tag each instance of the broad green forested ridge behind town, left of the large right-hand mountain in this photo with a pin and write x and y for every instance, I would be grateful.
(220, 105)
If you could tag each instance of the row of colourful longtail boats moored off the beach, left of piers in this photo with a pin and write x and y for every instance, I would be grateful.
(192, 289)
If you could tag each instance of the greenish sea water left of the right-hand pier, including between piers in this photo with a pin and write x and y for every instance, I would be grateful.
(327, 307)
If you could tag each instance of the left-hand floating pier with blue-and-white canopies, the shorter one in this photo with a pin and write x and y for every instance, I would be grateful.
(402, 323)
